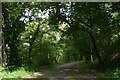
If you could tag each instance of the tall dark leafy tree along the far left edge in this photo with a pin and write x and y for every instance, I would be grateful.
(12, 27)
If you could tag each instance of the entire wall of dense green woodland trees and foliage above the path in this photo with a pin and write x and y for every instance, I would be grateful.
(39, 34)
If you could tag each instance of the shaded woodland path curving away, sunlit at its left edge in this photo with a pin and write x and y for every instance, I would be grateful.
(69, 71)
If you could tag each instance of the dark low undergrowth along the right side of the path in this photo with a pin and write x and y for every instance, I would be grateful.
(103, 72)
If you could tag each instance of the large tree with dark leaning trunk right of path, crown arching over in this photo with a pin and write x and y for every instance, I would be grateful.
(85, 16)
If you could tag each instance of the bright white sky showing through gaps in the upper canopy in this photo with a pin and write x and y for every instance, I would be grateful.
(42, 14)
